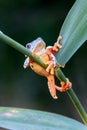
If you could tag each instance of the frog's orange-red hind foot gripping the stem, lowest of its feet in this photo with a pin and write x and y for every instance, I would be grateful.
(64, 86)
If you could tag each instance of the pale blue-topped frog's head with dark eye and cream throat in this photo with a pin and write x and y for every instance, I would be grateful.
(36, 46)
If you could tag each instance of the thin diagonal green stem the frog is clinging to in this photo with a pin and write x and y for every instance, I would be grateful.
(58, 73)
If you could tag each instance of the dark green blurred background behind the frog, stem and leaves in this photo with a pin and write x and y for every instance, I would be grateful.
(24, 21)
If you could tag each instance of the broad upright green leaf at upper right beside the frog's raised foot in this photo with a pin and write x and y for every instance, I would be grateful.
(73, 31)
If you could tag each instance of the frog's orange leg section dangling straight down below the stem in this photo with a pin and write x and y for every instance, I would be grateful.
(52, 86)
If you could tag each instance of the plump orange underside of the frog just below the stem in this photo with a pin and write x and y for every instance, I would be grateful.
(38, 69)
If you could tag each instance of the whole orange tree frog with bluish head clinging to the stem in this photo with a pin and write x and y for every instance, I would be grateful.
(38, 47)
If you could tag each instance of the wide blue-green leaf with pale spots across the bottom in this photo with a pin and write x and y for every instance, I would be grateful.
(24, 119)
